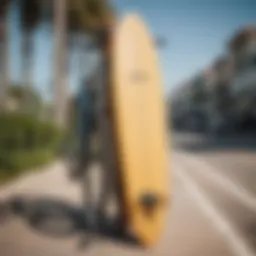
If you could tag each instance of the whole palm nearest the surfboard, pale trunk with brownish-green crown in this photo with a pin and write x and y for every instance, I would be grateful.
(74, 16)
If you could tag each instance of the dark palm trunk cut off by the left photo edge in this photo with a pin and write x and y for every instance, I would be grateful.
(4, 69)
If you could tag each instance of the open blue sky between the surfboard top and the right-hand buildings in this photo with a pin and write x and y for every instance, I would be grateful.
(197, 32)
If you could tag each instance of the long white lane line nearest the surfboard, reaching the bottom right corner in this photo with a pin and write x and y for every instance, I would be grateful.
(235, 240)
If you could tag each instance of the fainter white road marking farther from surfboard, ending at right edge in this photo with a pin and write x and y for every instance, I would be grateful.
(210, 172)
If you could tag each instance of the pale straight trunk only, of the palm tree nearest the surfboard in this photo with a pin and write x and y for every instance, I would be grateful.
(60, 62)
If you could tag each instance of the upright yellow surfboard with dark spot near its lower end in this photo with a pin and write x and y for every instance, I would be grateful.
(140, 135)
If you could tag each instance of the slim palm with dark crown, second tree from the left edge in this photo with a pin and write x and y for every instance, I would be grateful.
(30, 17)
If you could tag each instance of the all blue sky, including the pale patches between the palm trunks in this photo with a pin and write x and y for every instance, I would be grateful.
(197, 32)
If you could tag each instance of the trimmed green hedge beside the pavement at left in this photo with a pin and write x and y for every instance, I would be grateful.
(26, 142)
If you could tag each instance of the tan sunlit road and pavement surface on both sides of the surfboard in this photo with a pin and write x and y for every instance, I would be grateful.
(212, 213)
